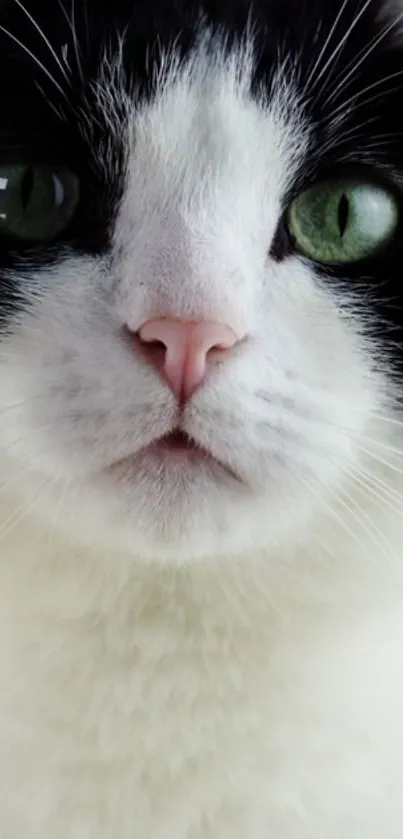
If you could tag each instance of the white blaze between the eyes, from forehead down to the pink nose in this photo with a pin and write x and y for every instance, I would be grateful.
(208, 166)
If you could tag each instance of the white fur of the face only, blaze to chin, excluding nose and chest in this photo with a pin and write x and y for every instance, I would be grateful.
(208, 166)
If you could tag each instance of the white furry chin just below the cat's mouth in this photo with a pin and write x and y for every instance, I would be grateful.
(169, 508)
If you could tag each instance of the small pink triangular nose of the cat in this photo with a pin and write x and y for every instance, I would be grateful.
(182, 351)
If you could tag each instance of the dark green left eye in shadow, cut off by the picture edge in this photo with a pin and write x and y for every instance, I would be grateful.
(36, 202)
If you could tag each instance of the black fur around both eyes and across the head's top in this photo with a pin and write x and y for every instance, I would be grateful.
(308, 33)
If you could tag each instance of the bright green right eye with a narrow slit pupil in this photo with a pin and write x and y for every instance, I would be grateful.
(343, 221)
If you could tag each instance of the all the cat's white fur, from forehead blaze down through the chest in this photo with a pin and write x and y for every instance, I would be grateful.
(183, 656)
